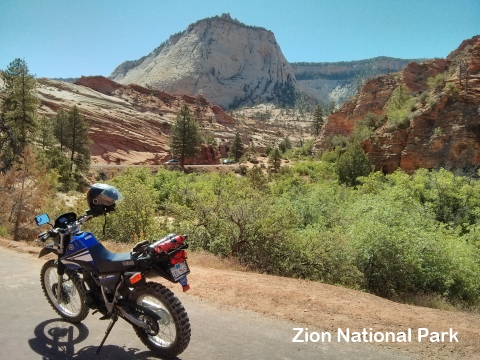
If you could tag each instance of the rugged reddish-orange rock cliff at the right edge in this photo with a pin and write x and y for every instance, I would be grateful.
(443, 128)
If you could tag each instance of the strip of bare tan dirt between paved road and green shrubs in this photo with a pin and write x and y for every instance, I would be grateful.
(322, 307)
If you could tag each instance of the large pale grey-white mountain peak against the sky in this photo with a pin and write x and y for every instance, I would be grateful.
(227, 62)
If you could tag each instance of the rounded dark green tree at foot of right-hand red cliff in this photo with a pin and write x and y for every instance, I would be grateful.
(352, 164)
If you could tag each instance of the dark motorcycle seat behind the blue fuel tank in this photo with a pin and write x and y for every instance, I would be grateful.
(107, 261)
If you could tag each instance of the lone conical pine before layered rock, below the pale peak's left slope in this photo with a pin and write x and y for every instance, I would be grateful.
(185, 139)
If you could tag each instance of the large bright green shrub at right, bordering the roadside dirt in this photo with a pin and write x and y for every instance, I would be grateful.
(400, 249)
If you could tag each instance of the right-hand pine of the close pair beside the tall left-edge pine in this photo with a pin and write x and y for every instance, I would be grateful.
(77, 141)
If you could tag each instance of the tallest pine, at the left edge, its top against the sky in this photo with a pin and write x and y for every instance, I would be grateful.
(18, 112)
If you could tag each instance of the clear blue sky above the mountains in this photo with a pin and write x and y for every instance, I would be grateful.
(70, 38)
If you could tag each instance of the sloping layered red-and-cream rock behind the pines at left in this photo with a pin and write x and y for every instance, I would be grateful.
(130, 124)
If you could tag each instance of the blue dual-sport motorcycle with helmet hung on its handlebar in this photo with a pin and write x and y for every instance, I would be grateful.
(86, 276)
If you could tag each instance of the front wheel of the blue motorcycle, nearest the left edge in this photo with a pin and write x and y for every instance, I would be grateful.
(72, 306)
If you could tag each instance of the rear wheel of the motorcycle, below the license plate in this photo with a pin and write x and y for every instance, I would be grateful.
(170, 335)
